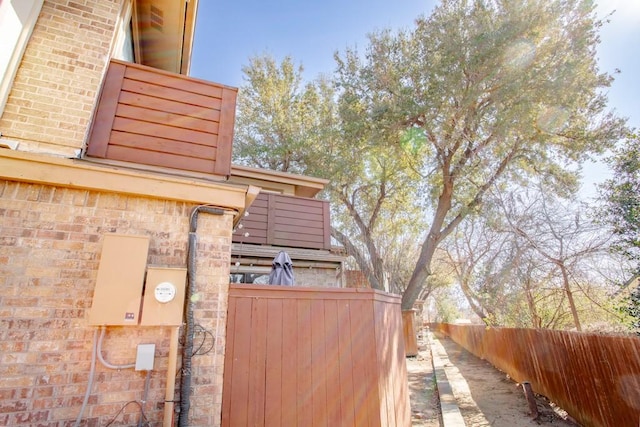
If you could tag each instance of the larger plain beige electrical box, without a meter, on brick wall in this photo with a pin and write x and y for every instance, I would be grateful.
(118, 292)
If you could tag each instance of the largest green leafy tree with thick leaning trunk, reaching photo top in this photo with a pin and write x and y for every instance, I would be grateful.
(496, 91)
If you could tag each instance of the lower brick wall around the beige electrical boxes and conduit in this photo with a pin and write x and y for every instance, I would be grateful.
(50, 245)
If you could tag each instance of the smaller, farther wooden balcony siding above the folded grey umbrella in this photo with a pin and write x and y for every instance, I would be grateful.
(279, 220)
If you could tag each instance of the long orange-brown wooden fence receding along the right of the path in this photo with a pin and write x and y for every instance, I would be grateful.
(595, 378)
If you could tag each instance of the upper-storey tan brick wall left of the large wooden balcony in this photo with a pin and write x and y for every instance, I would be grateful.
(63, 66)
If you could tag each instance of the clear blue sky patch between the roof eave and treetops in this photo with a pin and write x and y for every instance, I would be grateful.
(310, 31)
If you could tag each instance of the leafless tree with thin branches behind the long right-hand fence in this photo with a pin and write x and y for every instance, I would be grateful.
(529, 260)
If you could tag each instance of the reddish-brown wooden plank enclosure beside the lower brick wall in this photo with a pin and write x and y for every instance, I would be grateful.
(314, 357)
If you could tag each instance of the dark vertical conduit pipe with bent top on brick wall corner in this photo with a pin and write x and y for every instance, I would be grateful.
(187, 350)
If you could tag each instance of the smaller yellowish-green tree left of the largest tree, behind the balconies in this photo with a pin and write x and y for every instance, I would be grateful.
(282, 126)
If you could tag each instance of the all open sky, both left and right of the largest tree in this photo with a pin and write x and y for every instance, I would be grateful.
(228, 33)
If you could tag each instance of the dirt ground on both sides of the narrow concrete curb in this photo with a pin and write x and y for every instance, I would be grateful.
(485, 395)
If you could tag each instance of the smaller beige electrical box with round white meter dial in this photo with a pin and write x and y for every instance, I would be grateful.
(163, 296)
